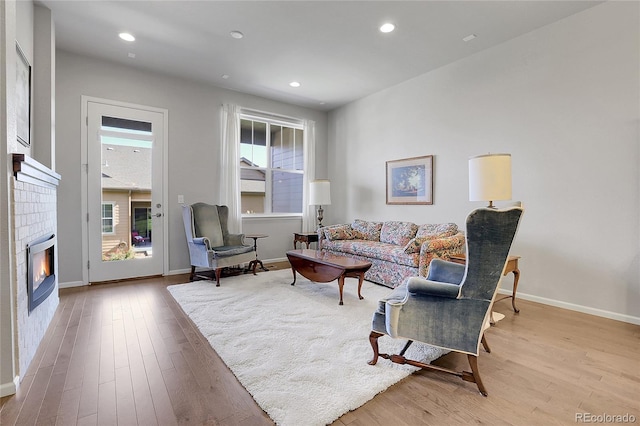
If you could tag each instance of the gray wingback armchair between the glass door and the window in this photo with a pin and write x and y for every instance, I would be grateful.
(210, 243)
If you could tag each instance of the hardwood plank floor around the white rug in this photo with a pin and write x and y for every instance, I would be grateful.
(125, 354)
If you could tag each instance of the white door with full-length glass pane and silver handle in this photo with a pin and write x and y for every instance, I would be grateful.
(124, 191)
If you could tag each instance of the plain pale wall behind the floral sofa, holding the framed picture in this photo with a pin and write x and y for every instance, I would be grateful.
(564, 101)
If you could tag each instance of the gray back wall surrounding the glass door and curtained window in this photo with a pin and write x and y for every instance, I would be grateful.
(194, 135)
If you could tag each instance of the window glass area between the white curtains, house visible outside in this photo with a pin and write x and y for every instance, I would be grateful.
(271, 166)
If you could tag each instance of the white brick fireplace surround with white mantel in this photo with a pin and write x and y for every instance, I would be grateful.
(33, 215)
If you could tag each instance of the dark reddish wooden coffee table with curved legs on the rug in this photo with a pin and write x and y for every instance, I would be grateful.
(322, 267)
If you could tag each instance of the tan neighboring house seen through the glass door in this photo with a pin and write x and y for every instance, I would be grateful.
(126, 196)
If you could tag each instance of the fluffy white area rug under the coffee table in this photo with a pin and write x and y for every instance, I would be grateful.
(300, 355)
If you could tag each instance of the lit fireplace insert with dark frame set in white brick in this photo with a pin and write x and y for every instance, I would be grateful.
(41, 277)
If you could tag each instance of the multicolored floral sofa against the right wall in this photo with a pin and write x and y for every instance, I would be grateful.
(396, 250)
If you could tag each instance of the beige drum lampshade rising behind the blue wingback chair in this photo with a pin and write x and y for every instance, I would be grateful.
(490, 178)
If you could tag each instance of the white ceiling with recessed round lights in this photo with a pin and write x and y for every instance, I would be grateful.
(333, 48)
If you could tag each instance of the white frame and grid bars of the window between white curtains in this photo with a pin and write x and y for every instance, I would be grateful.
(271, 120)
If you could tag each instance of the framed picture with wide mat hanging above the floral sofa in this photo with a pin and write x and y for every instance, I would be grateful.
(410, 180)
